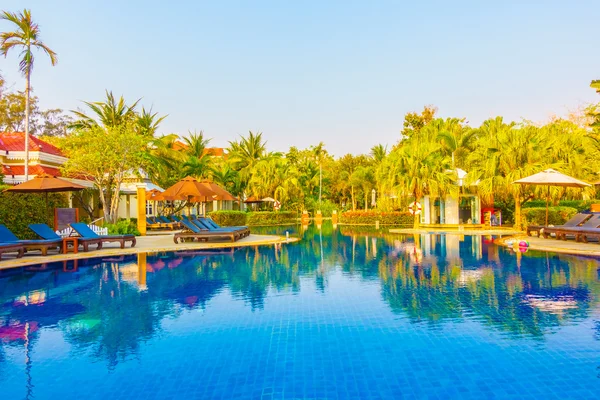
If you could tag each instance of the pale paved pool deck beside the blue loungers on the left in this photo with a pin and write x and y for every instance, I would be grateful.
(145, 244)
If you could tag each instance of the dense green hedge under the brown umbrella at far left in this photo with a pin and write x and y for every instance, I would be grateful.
(18, 210)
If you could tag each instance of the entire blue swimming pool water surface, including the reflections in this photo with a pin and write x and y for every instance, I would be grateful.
(339, 315)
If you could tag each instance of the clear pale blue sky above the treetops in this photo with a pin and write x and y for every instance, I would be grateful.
(341, 72)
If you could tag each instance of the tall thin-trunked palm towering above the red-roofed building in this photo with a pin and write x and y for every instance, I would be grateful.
(25, 37)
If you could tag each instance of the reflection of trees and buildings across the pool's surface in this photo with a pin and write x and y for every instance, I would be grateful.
(427, 279)
